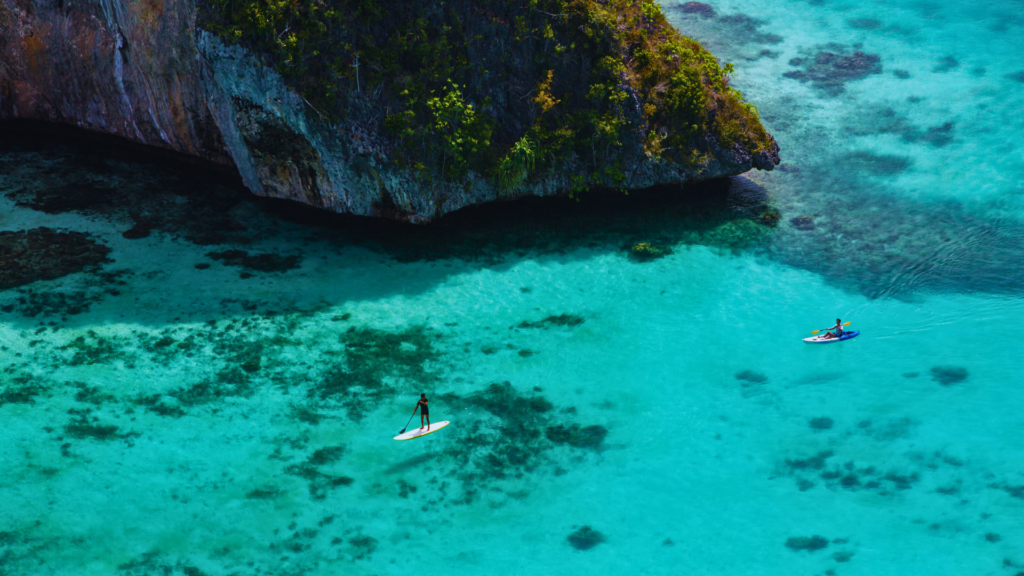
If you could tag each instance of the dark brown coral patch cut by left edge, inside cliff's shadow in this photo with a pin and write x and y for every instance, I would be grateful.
(44, 254)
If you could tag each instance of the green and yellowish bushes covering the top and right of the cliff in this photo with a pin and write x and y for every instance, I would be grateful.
(507, 89)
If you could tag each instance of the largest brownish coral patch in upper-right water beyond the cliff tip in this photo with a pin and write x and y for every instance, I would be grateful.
(833, 67)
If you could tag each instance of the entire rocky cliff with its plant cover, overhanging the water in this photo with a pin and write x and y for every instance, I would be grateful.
(145, 71)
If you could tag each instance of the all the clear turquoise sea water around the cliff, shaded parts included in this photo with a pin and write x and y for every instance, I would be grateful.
(163, 419)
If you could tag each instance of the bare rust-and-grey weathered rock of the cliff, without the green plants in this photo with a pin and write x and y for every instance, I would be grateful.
(148, 73)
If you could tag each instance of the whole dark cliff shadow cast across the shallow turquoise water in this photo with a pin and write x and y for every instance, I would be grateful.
(189, 242)
